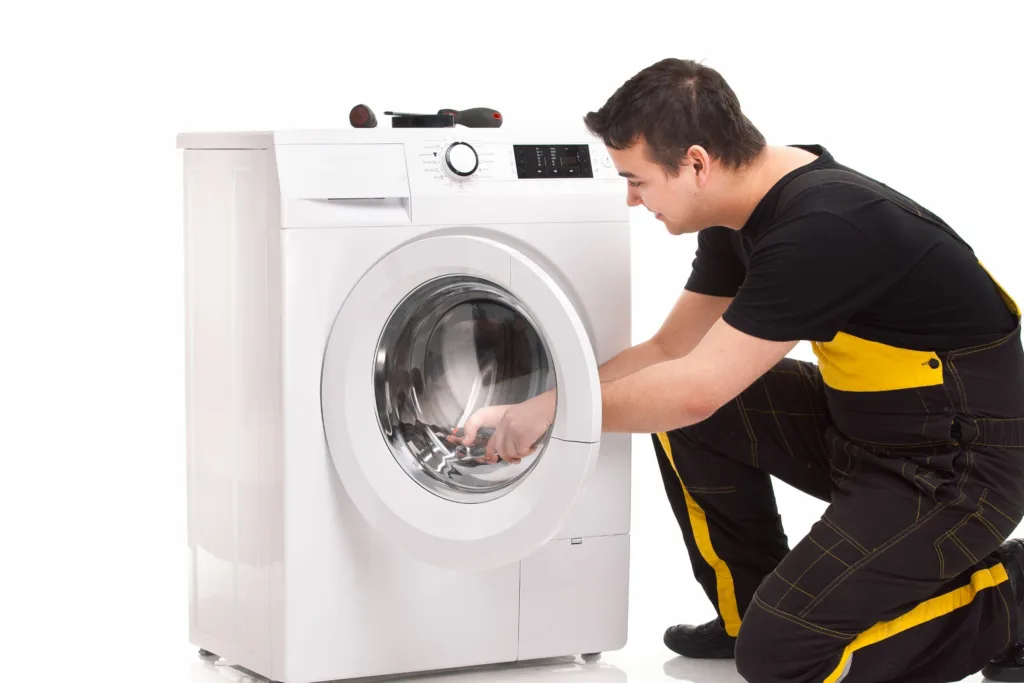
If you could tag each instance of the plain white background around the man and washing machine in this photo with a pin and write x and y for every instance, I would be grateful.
(93, 500)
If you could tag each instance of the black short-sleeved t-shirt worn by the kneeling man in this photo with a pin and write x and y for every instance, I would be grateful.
(844, 259)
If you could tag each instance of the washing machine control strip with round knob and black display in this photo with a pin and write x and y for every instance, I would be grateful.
(459, 162)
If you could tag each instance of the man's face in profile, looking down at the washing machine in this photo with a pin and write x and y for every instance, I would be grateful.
(674, 200)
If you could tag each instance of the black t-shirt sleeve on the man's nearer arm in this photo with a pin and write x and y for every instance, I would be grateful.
(808, 277)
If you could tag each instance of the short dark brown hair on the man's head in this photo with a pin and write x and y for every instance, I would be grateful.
(674, 105)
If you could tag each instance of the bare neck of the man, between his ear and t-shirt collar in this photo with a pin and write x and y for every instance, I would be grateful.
(749, 186)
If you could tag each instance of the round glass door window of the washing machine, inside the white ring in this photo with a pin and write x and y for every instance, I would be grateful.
(455, 346)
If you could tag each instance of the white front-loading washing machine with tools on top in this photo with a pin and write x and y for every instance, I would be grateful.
(352, 297)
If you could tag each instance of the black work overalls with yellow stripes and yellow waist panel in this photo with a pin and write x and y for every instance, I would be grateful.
(921, 456)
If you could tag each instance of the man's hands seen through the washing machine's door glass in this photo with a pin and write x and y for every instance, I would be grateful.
(519, 428)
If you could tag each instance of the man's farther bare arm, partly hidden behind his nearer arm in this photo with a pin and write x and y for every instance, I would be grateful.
(687, 324)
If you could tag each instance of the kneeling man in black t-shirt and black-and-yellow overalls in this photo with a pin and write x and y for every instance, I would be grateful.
(911, 424)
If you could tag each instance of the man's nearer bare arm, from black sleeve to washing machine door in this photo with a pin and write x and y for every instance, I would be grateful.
(690, 390)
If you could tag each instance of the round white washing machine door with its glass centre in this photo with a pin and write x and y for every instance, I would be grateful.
(436, 331)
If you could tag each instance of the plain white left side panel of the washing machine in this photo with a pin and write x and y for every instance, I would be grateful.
(231, 409)
